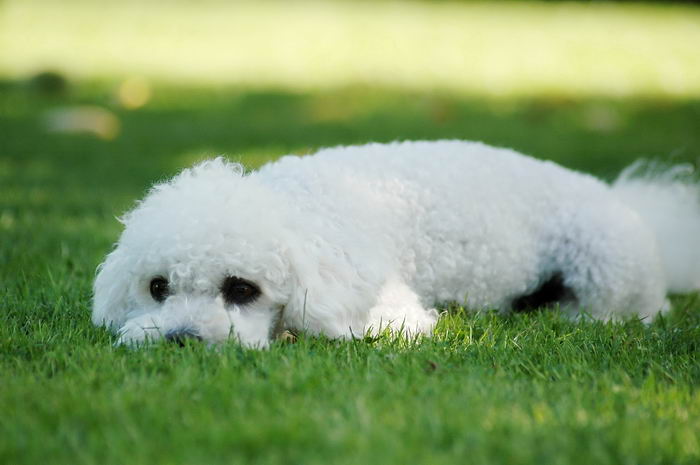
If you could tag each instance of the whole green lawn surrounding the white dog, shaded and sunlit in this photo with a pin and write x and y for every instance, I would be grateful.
(527, 389)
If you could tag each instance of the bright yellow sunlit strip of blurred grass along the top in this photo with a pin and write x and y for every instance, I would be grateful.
(497, 49)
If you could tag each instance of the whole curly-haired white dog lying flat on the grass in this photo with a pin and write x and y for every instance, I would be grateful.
(357, 239)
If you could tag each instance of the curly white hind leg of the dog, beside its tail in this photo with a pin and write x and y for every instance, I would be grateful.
(610, 262)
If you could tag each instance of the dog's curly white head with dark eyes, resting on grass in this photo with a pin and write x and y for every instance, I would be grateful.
(200, 257)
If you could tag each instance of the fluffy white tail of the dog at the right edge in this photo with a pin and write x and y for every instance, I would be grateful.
(668, 199)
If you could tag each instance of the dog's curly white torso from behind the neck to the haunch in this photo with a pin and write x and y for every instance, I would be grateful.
(482, 225)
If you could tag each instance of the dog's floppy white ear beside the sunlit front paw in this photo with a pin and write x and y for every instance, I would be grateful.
(331, 294)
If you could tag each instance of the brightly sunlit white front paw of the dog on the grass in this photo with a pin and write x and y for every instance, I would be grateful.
(398, 308)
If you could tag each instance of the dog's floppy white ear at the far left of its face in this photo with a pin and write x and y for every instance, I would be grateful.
(110, 292)
